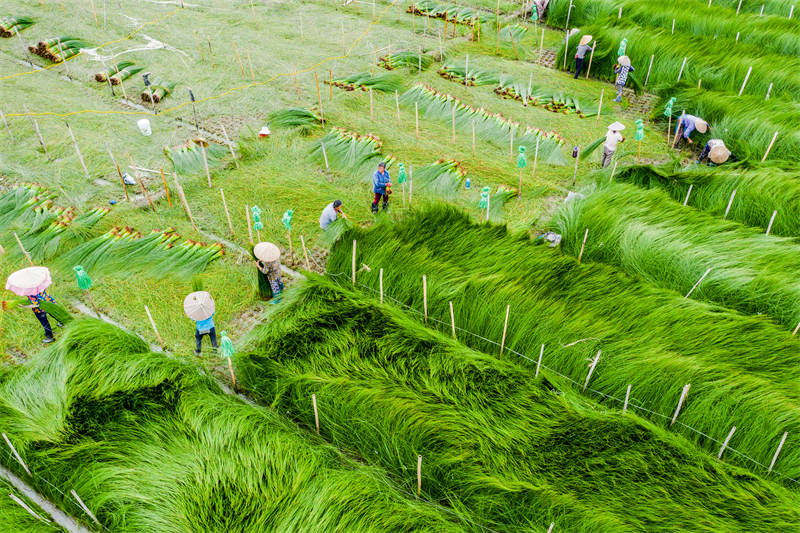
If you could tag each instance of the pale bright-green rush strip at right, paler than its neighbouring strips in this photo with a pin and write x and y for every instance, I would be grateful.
(649, 235)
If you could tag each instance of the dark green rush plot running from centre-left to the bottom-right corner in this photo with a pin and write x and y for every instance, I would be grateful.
(503, 448)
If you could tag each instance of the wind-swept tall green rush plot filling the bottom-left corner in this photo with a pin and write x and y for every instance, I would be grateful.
(150, 444)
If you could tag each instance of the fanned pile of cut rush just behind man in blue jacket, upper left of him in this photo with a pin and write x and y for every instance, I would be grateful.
(349, 150)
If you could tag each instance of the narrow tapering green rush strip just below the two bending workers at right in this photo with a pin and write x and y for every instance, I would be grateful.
(760, 190)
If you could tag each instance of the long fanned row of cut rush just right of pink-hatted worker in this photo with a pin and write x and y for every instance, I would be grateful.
(124, 251)
